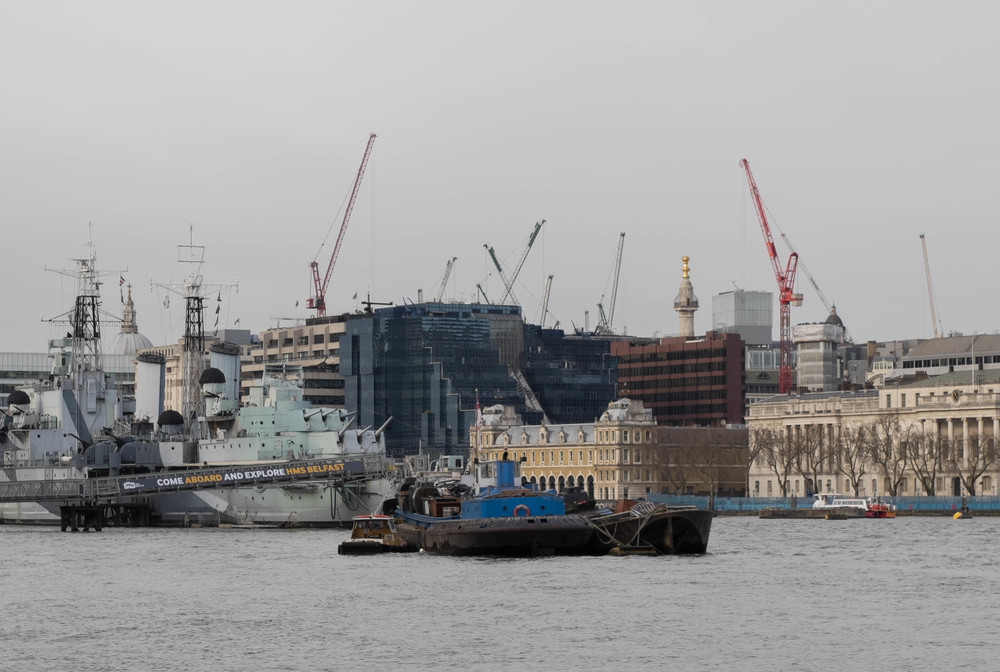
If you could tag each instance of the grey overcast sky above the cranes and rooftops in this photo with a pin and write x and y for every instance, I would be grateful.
(865, 124)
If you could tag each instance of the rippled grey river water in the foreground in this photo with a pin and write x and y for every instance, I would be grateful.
(914, 593)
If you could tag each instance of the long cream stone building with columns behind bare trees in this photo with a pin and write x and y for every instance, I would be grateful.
(936, 436)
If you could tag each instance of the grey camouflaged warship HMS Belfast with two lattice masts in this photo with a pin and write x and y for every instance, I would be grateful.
(71, 427)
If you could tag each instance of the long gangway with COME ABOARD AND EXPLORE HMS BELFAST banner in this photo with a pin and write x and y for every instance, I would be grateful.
(333, 471)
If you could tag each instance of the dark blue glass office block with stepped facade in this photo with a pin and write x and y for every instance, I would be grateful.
(424, 364)
